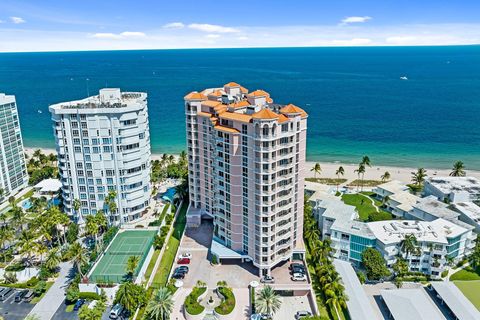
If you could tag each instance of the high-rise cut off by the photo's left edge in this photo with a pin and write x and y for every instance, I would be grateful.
(13, 175)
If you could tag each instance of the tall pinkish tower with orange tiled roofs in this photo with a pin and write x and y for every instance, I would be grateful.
(246, 161)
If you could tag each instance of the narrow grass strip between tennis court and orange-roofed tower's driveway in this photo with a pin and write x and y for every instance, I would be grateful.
(161, 277)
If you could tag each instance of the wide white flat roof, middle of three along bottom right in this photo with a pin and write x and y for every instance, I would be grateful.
(408, 304)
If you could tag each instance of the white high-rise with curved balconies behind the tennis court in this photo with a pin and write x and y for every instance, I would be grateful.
(103, 144)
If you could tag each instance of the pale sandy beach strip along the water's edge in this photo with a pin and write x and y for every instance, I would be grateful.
(402, 174)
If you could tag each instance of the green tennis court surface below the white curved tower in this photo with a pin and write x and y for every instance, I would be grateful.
(111, 267)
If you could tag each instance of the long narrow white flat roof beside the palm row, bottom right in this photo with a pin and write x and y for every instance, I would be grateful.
(359, 306)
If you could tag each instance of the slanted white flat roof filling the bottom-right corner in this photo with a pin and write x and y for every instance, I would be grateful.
(456, 301)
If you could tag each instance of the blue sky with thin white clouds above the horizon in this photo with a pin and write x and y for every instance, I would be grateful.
(54, 25)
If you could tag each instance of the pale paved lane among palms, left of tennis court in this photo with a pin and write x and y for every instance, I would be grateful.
(47, 307)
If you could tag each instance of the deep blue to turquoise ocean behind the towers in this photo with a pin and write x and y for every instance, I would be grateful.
(356, 102)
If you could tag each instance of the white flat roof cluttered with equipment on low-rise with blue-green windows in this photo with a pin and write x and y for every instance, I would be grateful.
(394, 231)
